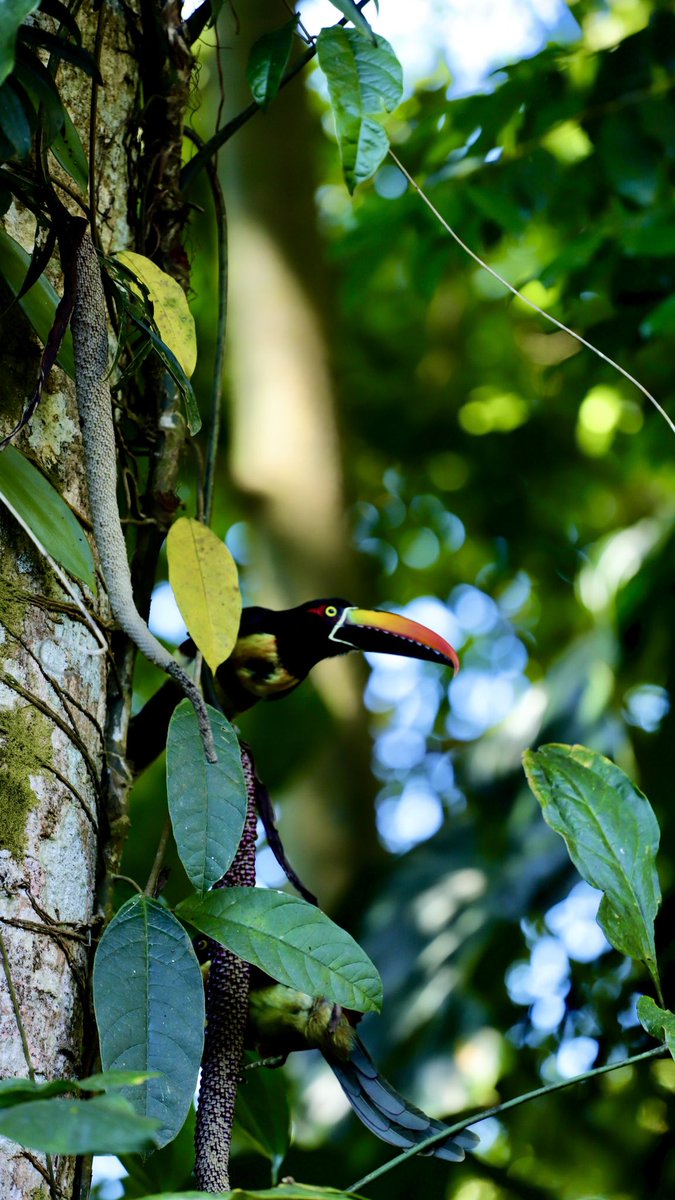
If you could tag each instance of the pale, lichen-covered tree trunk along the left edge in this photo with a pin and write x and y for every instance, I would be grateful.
(53, 705)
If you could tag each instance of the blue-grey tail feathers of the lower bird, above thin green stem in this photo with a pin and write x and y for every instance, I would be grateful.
(387, 1114)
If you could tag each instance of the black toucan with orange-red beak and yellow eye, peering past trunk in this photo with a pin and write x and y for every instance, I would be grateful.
(276, 651)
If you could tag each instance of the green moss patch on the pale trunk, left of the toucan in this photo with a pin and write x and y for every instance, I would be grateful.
(26, 748)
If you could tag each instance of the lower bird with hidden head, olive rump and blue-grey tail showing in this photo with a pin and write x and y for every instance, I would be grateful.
(283, 1021)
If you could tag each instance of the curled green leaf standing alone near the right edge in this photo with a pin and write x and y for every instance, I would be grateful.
(612, 836)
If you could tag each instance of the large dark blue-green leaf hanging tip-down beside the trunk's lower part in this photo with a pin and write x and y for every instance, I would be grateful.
(150, 1004)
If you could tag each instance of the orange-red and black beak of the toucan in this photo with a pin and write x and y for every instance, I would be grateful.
(389, 633)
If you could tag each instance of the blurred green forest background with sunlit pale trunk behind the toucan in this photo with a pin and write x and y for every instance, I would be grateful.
(402, 433)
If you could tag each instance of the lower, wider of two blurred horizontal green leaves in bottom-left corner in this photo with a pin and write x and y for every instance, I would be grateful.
(106, 1125)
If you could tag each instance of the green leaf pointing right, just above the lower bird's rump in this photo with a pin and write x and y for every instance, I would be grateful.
(291, 940)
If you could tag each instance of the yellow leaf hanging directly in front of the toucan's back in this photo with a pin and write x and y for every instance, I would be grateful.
(204, 577)
